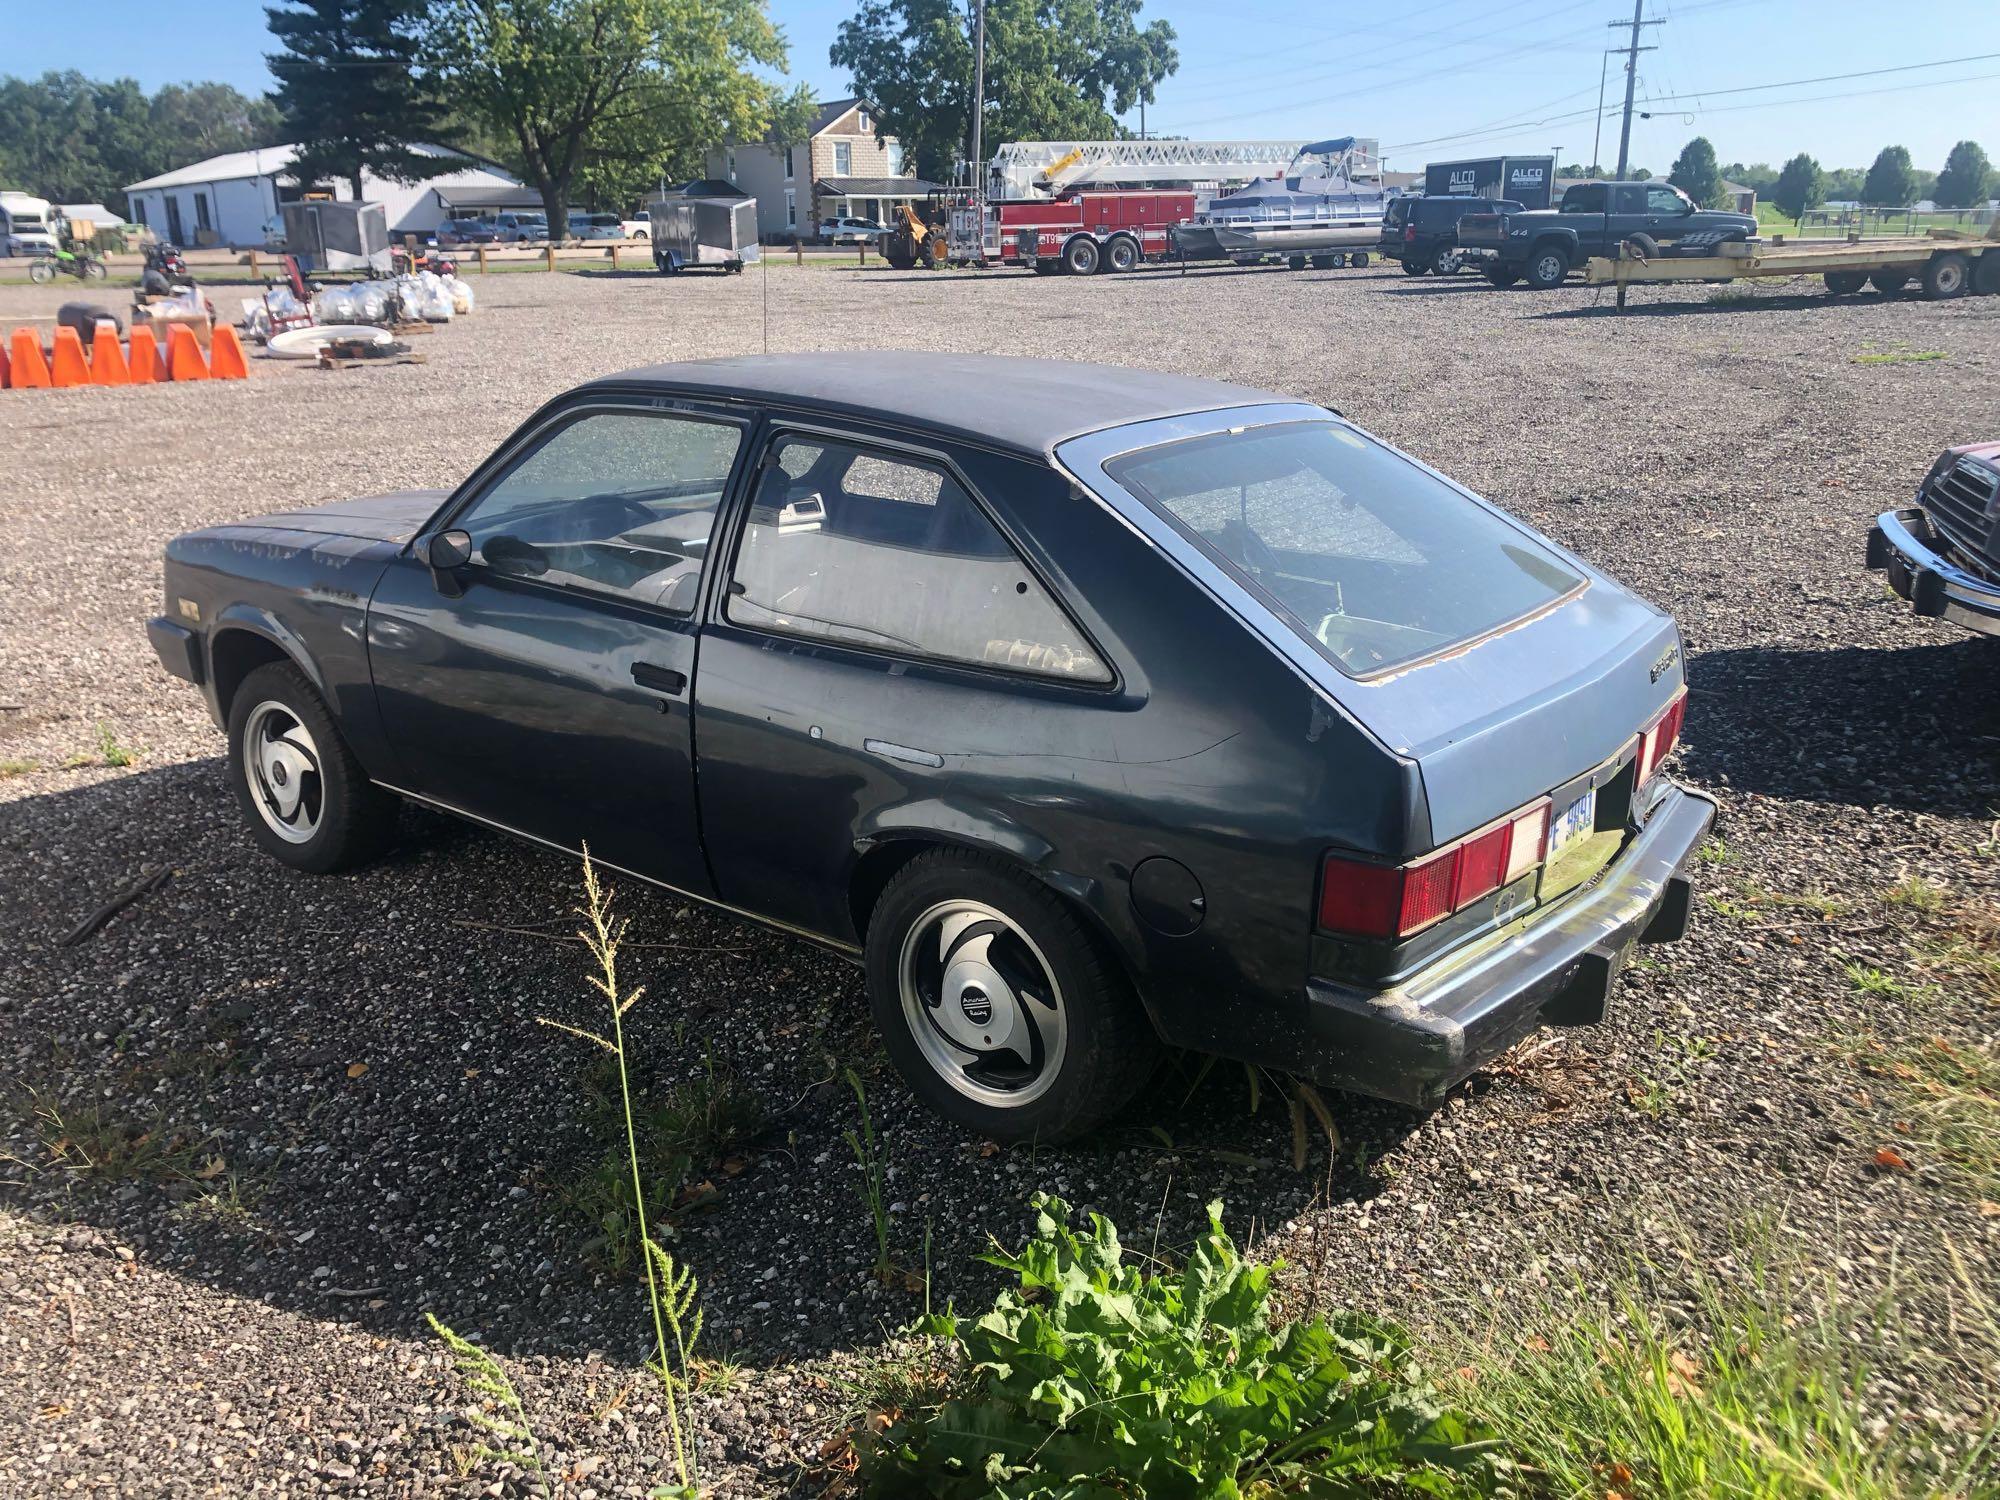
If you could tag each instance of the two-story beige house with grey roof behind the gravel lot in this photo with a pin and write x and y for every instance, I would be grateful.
(839, 171)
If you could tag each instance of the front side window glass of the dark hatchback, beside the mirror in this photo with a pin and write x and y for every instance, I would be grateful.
(621, 503)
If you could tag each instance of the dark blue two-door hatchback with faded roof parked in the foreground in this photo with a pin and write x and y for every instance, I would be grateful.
(1083, 707)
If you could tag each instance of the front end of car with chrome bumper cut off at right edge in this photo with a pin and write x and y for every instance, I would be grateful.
(1943, 553)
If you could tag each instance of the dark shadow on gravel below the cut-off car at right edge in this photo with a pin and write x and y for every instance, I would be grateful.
(1909, 729)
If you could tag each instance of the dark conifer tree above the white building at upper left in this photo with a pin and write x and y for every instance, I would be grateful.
(349, 97)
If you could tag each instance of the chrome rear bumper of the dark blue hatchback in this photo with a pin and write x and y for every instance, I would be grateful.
(1415, 1041)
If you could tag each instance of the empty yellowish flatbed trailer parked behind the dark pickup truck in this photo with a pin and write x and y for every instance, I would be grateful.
(1947, 263)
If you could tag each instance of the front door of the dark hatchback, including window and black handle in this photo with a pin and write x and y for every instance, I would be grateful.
(545, 687)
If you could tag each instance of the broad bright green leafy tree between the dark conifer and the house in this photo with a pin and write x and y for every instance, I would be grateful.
(601, 85)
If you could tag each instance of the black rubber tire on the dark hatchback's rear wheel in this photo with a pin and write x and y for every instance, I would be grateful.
(1109, 1045)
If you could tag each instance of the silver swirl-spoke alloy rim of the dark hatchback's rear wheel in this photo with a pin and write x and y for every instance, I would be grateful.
(983, 1003)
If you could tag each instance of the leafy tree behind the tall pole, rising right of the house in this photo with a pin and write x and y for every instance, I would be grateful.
(1055, 71)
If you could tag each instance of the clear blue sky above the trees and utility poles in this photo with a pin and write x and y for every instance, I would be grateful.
(1431, 81)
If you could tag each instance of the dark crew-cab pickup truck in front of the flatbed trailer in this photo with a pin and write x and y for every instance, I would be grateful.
(1595, 219)
